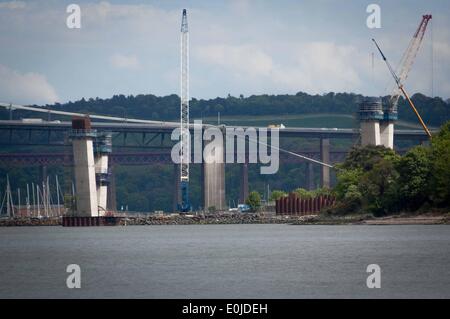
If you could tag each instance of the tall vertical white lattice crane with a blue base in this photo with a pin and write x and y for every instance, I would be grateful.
(185, 153)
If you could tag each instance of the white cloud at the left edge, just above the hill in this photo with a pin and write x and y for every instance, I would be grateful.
(27, 88)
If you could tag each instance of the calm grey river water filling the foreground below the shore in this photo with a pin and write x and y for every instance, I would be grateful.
(226, 261)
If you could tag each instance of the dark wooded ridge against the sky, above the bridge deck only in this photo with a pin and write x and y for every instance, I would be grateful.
(433, 110)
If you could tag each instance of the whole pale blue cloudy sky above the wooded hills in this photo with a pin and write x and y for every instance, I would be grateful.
(236, 47)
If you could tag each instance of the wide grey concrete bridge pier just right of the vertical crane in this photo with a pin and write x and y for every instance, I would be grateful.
(214, 179)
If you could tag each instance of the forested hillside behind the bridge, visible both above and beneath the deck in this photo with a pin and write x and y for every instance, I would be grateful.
(151, 188)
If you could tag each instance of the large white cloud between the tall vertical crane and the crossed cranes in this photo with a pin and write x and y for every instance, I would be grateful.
(314, 67)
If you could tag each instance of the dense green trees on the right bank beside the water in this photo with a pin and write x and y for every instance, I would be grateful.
(375, 179)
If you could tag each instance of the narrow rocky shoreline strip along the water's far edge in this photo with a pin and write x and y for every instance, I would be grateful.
(233, 219)
